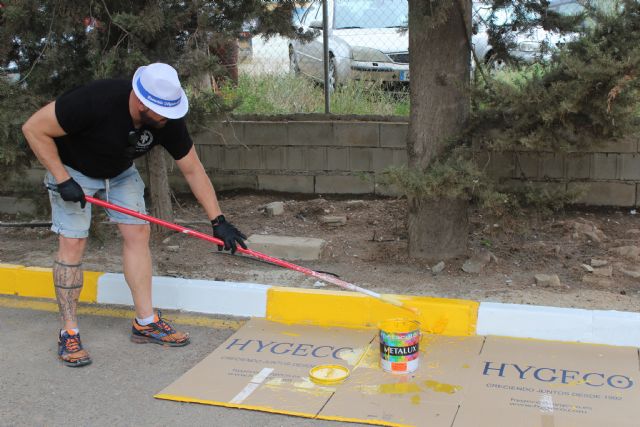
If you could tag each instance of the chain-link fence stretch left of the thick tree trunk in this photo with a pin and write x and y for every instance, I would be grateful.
(367, 71)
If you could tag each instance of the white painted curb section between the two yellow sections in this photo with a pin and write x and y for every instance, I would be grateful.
(201, 296)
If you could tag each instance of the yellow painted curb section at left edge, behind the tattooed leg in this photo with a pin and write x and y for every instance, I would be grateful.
(37, 282)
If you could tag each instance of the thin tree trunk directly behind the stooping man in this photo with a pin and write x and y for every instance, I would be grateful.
(159, 188)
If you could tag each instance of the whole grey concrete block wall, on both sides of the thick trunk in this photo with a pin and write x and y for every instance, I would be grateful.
(347, 157)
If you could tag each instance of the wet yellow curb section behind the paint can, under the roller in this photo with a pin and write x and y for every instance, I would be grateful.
(348, 309)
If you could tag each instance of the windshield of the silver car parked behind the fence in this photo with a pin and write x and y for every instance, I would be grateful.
(371, 14)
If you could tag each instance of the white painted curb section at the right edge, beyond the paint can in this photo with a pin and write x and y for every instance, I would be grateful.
(559, 324)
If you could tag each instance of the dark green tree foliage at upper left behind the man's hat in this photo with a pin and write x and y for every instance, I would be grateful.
(56, 45)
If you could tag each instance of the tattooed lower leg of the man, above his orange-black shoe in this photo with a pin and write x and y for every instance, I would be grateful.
(67, 279)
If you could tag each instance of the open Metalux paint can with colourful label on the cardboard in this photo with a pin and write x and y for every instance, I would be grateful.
(399, 345)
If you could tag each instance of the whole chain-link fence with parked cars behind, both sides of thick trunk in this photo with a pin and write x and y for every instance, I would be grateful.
(367, 48)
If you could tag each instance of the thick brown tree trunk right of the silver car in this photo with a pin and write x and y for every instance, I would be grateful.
(440, 70)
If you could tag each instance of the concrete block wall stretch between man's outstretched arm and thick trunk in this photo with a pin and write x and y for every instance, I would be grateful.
(308, 156)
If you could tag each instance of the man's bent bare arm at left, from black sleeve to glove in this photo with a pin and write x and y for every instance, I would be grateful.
(39, 131)
